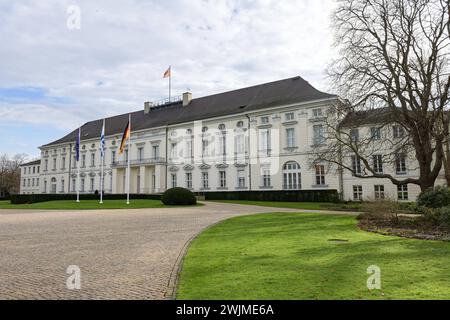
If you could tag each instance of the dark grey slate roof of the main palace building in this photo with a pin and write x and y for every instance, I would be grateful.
(292, 90)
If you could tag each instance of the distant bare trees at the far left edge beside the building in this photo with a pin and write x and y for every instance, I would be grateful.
(10, 173)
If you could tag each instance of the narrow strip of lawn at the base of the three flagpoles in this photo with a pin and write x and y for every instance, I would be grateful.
(85, 204)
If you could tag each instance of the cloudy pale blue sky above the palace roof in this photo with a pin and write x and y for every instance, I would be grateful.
(55, 76)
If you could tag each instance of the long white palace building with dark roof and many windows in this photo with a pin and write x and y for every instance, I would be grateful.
(255, 138)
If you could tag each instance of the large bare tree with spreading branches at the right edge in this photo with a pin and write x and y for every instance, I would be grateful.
(393, 56)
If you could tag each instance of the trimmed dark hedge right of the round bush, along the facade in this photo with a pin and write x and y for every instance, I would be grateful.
(284, 195)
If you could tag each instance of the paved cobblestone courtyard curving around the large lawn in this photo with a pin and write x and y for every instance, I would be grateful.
(122, 254)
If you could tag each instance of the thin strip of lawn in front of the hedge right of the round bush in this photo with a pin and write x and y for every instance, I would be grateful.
(298, 205)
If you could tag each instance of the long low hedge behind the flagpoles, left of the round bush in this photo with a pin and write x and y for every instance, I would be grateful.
(33, 198)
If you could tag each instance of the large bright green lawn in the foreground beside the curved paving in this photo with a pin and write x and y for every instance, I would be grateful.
(289, 256)
